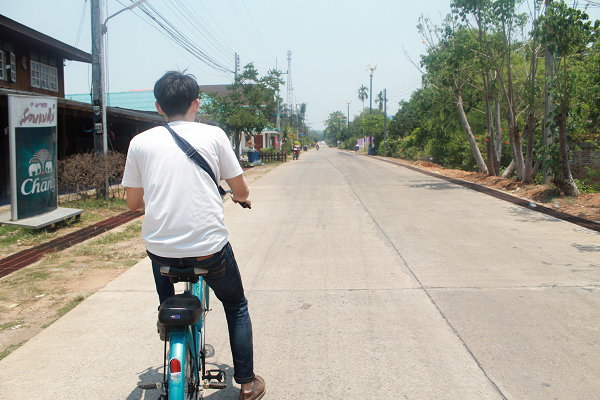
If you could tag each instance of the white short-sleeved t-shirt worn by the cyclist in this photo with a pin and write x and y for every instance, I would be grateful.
(184, 211)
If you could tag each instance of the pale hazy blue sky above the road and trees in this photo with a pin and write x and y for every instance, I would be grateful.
(332, 42)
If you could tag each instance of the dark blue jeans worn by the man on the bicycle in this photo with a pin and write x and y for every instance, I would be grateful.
(225, 281)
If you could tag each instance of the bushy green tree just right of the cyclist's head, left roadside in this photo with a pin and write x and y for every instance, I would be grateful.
(250, 105)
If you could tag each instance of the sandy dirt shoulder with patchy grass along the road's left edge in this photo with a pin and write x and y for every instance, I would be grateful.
(33, 298)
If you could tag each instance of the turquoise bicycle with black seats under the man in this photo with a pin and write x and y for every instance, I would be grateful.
(182, 319)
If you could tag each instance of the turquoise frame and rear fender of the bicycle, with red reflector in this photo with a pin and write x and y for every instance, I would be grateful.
(181, 339)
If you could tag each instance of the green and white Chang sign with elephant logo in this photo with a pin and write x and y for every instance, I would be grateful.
(32, 123)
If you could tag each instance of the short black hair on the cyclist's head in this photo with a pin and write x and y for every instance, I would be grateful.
(175, 92)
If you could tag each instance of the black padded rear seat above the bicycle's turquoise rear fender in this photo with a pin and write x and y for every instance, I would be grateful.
(180, 310)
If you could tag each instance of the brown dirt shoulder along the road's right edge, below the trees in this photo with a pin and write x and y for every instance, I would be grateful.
(585, 206)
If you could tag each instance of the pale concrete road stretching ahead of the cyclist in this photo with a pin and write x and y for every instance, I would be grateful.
(365, 280)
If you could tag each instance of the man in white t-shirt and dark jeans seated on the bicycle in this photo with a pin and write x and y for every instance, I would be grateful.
(183, 223)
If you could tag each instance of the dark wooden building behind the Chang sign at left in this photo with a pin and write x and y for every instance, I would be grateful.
(32, 63)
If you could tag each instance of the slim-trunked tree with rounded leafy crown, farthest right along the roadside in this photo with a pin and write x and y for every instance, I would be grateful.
(567, 32)
